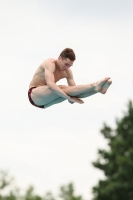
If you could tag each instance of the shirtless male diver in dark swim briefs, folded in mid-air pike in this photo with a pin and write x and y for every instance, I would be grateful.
(44, 92)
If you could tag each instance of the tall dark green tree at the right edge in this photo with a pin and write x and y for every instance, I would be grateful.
(117, 162)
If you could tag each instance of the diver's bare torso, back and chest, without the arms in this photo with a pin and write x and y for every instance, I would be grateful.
(39, 76)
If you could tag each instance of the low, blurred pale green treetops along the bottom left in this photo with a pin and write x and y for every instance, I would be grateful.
(66, 192)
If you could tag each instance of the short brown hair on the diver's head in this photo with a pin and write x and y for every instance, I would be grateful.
(68, 53)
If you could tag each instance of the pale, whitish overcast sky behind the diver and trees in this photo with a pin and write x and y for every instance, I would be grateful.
(52, 147)
